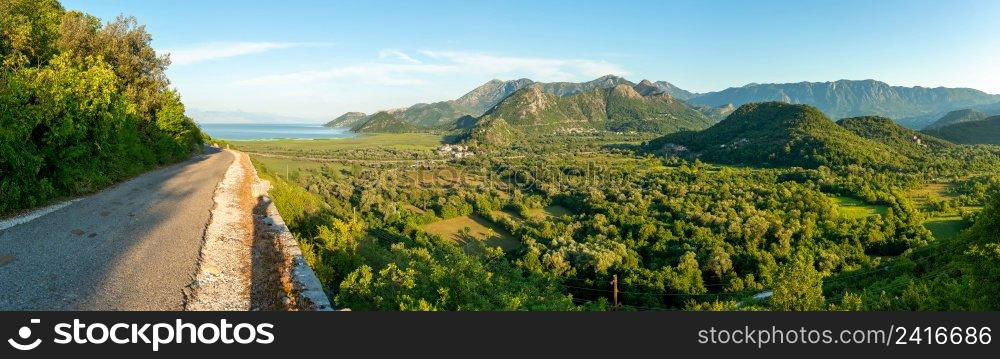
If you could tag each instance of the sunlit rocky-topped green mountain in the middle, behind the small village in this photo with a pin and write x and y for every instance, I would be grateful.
(622, 108)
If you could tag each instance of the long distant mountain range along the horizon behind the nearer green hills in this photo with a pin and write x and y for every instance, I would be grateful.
(913, 107)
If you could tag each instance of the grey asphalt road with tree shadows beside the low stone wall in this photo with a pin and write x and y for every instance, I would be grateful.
(133, 246)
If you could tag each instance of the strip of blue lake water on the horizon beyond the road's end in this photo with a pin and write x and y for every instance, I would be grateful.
(256, 132)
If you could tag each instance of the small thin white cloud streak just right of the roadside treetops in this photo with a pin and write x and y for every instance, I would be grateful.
(219, 50)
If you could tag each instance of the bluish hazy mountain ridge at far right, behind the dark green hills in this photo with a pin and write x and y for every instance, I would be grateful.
(847, 98)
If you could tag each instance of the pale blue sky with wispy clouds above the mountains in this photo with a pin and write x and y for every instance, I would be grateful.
(317, 59)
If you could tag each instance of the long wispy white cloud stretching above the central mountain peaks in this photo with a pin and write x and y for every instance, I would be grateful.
(447, 62)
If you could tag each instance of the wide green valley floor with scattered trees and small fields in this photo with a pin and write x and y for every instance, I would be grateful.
(569, 212)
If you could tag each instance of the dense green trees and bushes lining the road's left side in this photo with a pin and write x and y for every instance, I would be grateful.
(83, 104)
